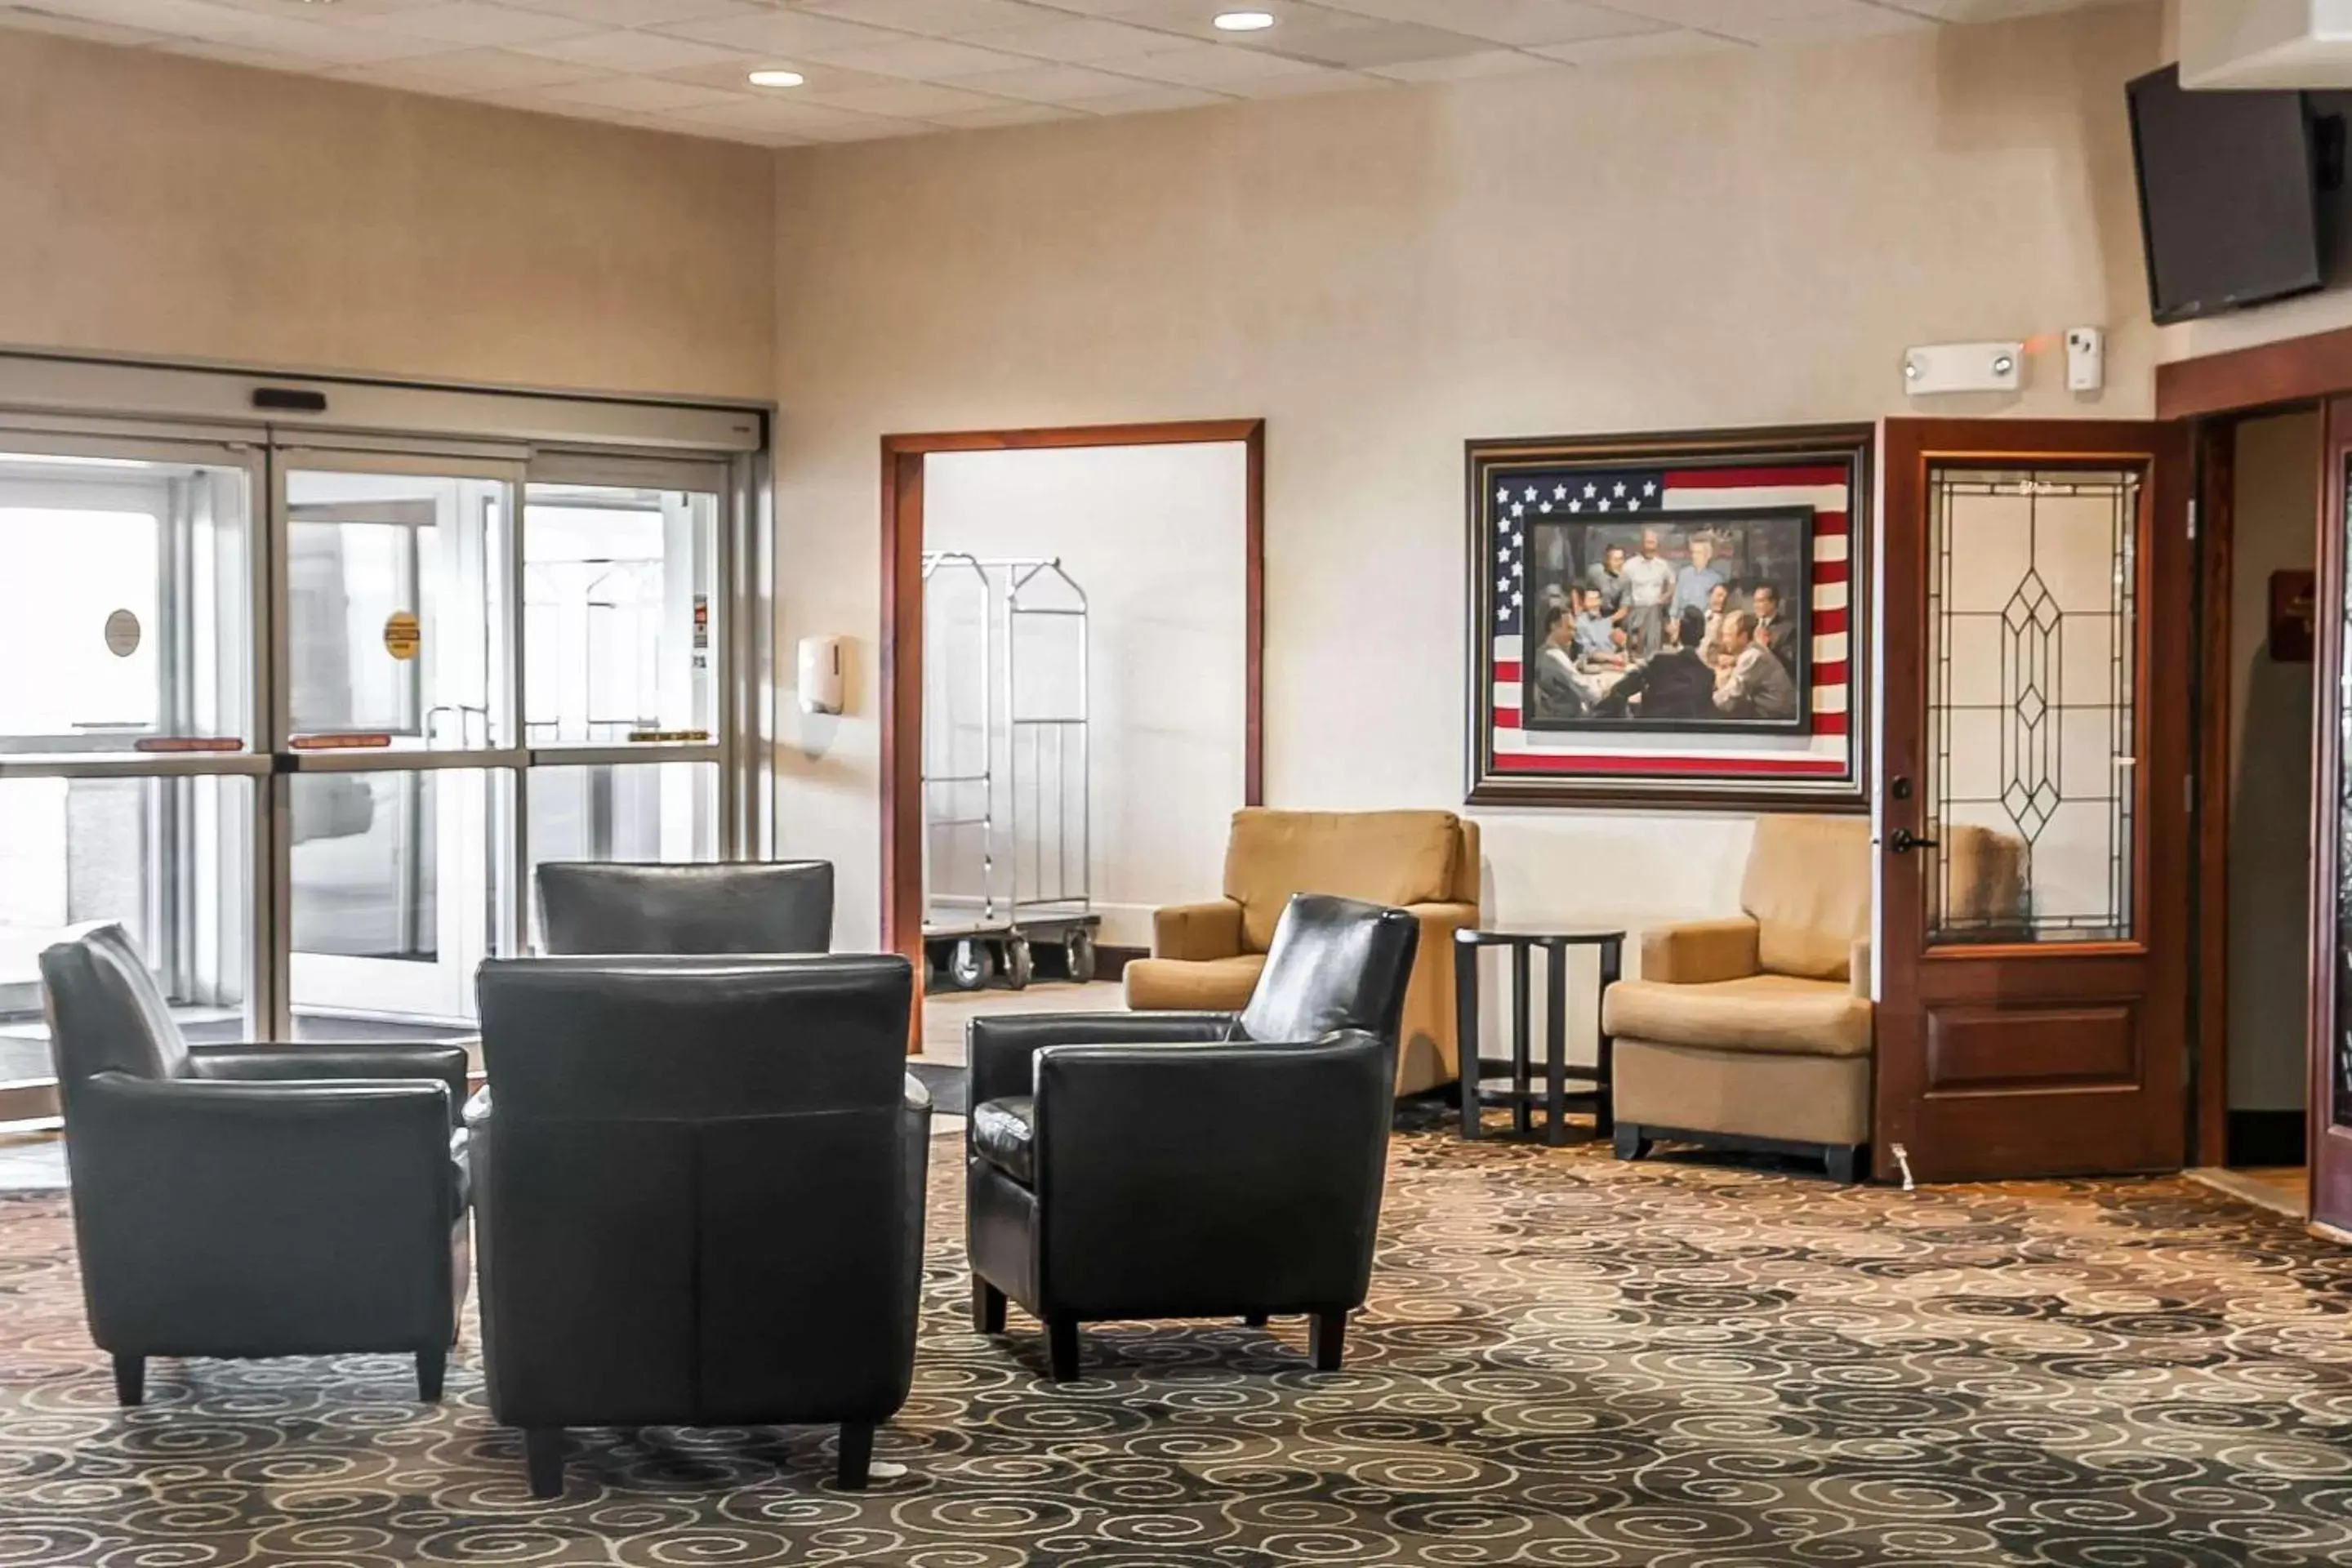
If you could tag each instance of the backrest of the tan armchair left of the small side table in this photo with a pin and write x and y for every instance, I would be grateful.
(1382, 857)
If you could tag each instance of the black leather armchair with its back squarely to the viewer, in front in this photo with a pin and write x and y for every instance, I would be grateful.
(700, 1198)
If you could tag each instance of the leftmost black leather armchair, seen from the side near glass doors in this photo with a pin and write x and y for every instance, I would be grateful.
(253, 1200)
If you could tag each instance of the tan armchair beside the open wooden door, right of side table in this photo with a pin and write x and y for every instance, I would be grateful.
(1758, 1031)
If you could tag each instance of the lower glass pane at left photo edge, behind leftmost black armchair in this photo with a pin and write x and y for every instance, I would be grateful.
(171, 859)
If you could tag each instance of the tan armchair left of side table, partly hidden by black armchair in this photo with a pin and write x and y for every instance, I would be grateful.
(1208, 956)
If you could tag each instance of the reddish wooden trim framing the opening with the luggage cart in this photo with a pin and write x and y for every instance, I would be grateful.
(902, 626)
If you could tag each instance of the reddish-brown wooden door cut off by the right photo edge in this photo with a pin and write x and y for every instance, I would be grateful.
(2330, 1111)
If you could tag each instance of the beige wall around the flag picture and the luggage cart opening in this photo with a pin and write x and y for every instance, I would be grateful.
(1695, 243)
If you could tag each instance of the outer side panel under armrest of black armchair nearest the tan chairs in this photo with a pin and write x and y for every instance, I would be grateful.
(1227, 1172)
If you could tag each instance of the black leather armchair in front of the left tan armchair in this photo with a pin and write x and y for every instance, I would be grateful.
(1194, 1165)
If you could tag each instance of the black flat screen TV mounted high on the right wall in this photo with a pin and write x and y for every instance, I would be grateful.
(2229, 196)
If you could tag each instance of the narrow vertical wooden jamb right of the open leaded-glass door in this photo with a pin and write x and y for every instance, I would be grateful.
(2210, 939)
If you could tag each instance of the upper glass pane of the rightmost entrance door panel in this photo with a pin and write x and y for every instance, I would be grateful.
(617, 594)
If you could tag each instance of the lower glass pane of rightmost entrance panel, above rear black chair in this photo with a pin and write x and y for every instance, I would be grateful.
(622, 812)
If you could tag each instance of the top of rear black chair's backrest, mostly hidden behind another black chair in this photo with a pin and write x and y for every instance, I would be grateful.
(617, 909)
